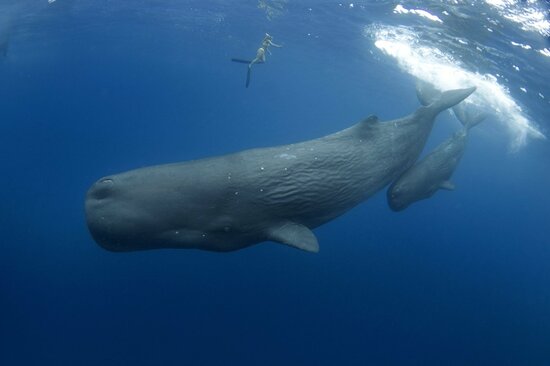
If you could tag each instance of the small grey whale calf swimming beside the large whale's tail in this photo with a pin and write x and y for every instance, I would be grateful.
(433, 172)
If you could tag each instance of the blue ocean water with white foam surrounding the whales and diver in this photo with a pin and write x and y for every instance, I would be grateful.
(91, 88)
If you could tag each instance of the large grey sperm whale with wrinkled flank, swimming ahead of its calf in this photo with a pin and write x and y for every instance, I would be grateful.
(268, 194)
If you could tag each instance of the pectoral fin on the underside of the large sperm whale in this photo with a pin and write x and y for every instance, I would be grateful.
(294, 235)
